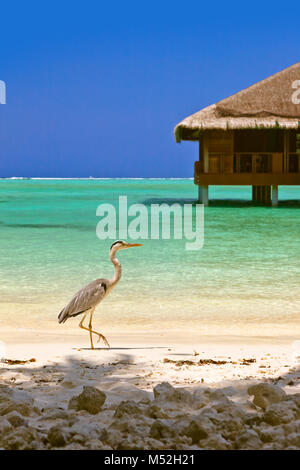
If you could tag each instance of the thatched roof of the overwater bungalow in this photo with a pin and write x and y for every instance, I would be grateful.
(267, 104)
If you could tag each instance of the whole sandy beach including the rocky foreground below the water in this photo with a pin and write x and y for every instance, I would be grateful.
(150, 391)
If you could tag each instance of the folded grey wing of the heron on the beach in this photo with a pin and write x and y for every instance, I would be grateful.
(85, 299)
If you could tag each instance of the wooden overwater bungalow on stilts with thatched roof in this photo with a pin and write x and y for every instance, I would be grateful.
(251, 138)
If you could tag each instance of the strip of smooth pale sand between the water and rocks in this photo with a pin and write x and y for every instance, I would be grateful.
(163, 354)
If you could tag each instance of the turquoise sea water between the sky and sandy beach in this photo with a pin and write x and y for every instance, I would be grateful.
(245, 279)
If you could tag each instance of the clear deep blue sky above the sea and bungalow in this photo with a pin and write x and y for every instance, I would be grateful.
(95, 88)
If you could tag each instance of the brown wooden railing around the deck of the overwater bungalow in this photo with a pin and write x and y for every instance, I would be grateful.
(247, 162)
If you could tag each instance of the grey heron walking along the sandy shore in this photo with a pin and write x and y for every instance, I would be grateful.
(86, 300)
